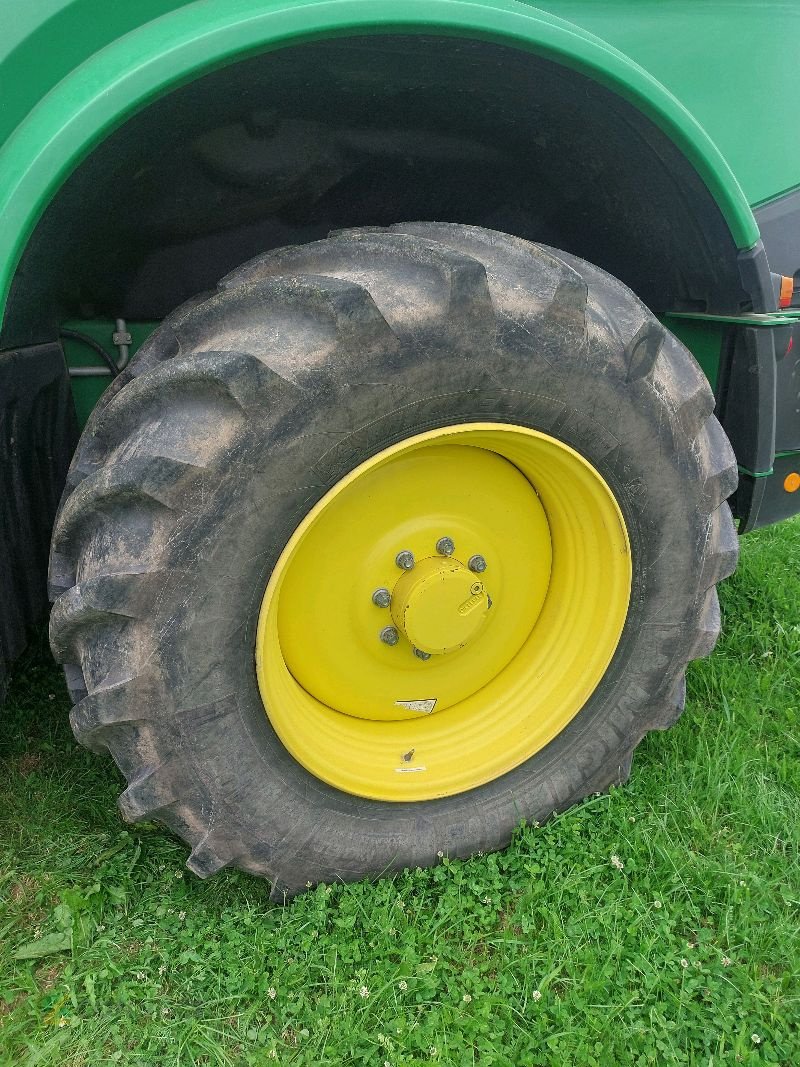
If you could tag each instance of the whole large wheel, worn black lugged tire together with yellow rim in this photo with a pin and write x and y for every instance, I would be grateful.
(395, 540)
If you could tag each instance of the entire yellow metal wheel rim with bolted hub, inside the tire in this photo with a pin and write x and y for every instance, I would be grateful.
(506, 564)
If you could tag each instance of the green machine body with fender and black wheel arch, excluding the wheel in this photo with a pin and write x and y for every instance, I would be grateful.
(148, 148)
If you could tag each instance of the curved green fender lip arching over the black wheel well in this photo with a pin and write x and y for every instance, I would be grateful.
(146, 63)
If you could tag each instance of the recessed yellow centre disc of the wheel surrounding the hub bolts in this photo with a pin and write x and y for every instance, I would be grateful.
(328, 623)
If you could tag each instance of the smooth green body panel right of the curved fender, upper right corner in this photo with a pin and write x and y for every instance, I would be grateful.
(732, 63)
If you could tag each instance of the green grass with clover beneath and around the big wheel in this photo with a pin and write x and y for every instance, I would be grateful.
(547, 954)
